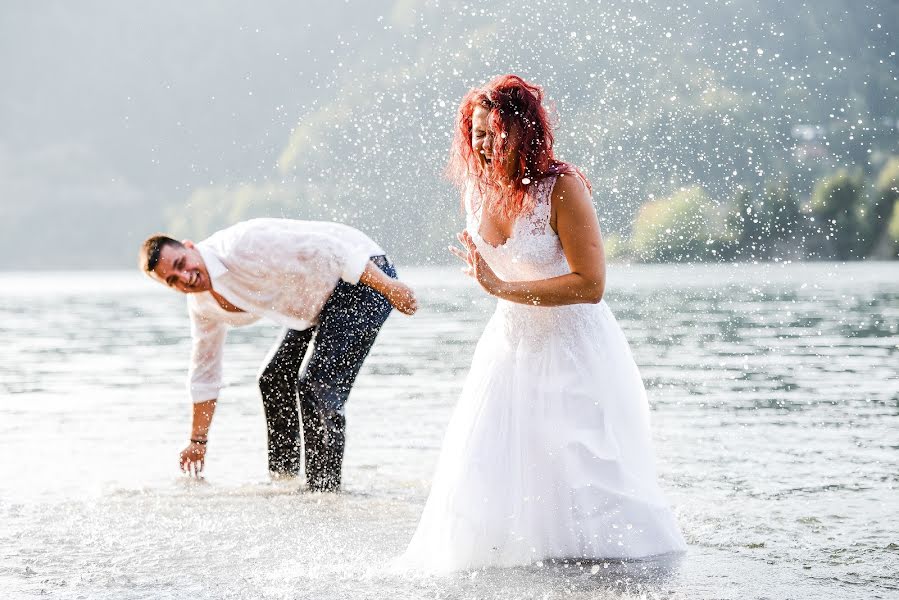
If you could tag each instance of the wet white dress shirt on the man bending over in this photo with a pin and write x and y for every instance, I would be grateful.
(277, 268)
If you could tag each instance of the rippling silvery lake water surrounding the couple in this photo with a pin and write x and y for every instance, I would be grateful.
(775, 405)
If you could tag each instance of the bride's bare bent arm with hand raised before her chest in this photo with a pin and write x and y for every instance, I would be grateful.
(578, 230)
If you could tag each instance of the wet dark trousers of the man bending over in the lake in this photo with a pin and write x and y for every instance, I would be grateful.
(348, 325)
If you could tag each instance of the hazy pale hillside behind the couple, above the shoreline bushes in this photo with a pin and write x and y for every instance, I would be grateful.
(120, 119)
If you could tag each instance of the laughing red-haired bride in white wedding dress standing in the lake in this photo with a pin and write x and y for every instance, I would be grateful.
(549, 453)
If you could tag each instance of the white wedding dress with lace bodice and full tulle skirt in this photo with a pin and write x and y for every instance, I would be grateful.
(549, 452)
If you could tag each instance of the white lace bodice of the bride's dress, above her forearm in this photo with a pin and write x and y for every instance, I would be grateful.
(534, 250)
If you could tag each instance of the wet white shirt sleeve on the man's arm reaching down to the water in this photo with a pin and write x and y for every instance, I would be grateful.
(205, 373)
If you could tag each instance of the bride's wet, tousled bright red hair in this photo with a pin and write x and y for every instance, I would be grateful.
(515, 106)
